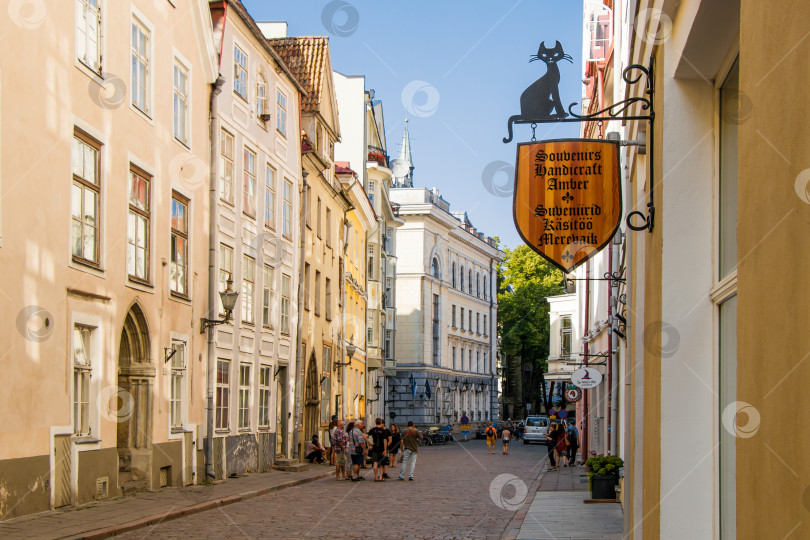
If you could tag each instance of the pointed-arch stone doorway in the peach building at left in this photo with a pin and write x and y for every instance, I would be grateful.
(136, 376)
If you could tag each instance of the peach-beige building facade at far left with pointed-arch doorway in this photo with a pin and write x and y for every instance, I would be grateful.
(103, 202)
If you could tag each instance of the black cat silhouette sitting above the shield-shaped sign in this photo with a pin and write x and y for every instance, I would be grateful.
(542, 99)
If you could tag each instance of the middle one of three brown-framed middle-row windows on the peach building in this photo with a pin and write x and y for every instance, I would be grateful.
(138, 224)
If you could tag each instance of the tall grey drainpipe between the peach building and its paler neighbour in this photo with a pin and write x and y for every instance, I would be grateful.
(213, 297)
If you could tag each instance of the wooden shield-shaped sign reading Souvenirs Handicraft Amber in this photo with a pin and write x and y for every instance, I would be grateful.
(567, 203)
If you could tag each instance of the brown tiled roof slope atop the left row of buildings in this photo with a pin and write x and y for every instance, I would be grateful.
(306, 57)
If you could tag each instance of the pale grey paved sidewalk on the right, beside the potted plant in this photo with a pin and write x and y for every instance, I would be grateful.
(558, 512)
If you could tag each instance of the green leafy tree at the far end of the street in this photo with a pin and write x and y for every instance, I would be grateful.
(525, 281)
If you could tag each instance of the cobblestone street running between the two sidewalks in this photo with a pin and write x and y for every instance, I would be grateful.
(450, 498)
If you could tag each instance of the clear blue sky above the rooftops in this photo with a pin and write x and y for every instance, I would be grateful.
(474, 55)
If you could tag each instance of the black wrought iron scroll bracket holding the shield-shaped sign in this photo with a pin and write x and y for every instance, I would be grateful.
(620, 111)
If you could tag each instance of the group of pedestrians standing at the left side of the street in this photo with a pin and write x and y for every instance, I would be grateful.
(352, 445)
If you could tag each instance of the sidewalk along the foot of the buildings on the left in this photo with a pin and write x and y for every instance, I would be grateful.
(107, 518)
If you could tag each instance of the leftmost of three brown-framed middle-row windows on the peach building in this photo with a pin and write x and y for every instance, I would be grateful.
(85, 197)
